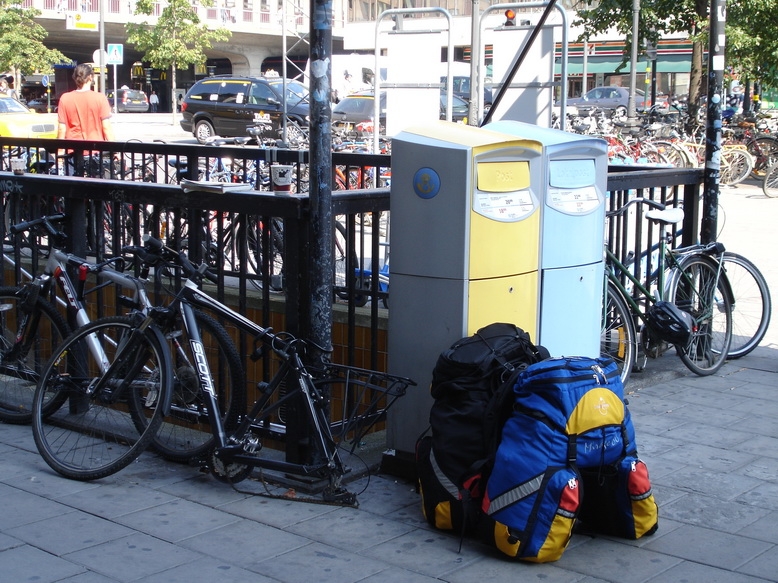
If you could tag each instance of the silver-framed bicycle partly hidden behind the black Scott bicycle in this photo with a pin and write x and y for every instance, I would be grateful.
(33, 328)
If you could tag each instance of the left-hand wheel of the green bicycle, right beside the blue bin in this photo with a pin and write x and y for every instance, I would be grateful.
(617, 334)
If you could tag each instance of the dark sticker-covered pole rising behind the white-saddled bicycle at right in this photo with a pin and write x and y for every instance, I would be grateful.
(718, 15)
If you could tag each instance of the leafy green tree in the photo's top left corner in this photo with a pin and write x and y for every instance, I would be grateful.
(21, 41)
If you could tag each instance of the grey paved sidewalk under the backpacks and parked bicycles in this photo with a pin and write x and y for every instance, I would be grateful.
(711, 445)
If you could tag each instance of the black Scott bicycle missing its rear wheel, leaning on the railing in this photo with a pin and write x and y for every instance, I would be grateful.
(367, 395)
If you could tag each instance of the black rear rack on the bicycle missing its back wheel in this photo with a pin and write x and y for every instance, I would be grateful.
(359, 399)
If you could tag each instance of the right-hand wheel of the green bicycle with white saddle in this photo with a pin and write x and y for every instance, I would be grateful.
(697, 288)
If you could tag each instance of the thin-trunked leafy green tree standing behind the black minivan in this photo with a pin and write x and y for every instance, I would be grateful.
(177, 39)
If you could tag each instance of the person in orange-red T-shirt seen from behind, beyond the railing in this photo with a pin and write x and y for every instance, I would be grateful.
(83, 114)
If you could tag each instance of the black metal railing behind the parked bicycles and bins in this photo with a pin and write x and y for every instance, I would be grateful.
(255, 241)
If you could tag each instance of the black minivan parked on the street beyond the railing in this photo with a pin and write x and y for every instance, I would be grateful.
(225, 105)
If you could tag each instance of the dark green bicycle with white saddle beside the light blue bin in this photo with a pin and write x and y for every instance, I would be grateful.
(690, 308)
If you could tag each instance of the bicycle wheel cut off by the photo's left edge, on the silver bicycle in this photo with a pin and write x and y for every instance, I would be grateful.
(21, 363)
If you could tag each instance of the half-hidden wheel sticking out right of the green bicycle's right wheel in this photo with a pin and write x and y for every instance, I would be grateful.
(751, 307)
